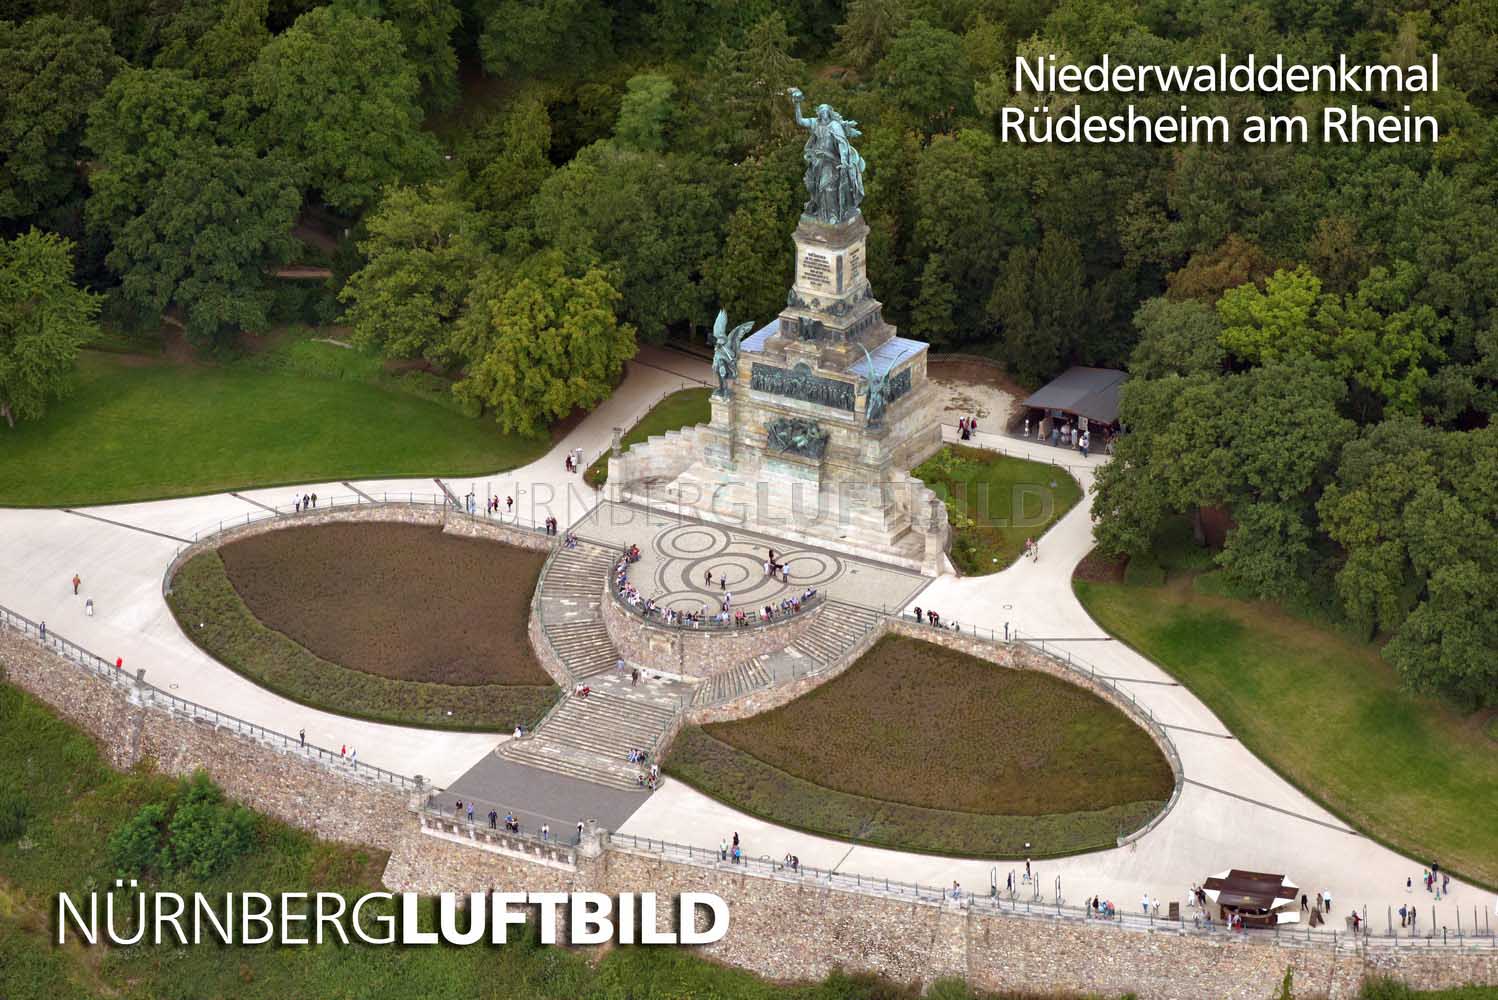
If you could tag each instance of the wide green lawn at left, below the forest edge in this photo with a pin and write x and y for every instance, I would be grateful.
(142, 429)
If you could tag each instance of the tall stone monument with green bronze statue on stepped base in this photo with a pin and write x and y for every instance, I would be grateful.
(820, 414)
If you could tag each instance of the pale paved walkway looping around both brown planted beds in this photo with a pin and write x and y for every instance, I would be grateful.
(1234, 812)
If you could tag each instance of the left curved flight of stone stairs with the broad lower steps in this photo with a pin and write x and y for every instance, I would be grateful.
(591, 737)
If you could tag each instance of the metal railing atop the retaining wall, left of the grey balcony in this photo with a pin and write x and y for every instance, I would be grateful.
(154, 697)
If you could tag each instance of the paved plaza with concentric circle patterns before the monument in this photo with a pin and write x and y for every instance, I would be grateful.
(678, 553)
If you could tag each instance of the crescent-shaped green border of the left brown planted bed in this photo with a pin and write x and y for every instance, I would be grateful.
(213, 616)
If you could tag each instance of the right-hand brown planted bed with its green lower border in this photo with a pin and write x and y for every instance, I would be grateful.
(922, 748)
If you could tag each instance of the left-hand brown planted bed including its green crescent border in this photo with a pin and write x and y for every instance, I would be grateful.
(387, 622)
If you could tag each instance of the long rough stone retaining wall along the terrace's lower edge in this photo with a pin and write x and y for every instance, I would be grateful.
(784, 930)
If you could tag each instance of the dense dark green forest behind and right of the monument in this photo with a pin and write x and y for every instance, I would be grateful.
(516, 191)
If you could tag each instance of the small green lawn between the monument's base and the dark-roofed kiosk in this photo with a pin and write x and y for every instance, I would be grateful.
(995, 504)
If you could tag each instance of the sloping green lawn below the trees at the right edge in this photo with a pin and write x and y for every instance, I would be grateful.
(1326, 712)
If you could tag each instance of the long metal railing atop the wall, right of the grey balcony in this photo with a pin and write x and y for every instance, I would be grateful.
(1042, 897)
